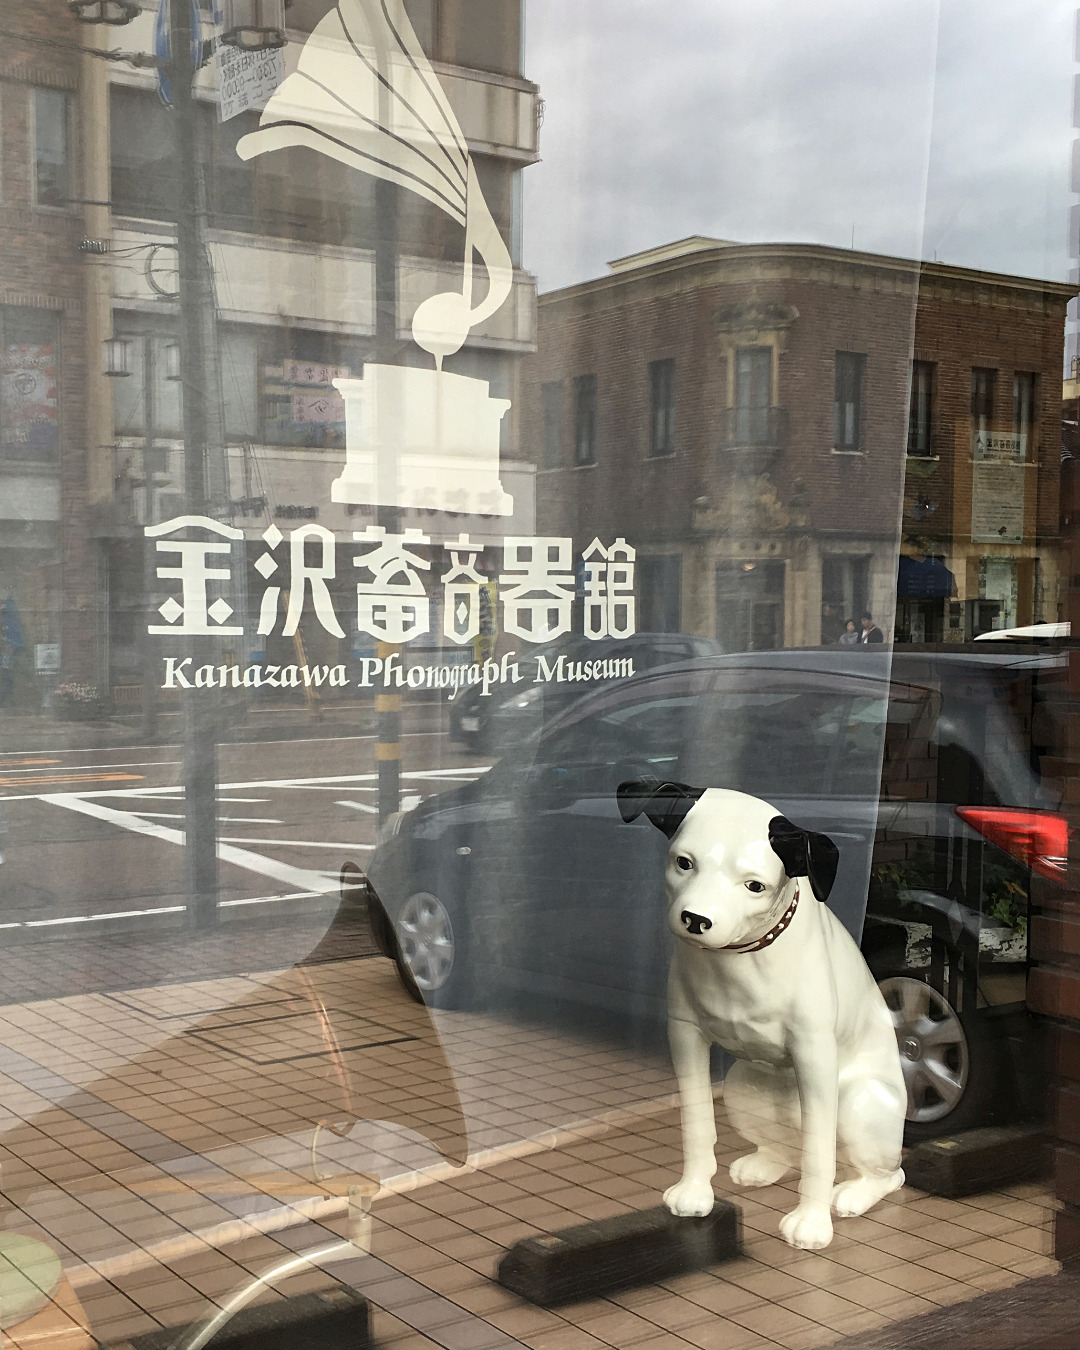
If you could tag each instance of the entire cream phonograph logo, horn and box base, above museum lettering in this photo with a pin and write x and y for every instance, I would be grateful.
(365, 94)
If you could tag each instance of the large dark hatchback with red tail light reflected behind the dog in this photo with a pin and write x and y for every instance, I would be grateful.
(924, 767)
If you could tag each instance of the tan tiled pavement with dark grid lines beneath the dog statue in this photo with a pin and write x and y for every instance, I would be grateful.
(164, 1143)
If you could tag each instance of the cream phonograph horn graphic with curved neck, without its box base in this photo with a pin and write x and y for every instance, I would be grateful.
(365, 94)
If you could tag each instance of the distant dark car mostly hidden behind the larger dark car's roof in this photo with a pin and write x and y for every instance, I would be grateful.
(508, 712)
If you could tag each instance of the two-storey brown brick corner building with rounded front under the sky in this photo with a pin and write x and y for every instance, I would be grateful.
(743, 415)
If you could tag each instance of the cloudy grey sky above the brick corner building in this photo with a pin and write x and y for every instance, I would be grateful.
(767, 121)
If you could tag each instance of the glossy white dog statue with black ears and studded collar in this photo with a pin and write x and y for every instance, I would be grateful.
(772, 975)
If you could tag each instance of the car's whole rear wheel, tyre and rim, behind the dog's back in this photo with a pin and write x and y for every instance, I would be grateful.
(948, 1062)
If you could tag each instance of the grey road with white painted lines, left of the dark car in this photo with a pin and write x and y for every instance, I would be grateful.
(290, 813)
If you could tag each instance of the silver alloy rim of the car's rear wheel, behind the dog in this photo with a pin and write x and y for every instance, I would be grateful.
(934, 1048)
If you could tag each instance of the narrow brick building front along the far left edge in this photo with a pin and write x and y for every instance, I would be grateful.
(47, 574)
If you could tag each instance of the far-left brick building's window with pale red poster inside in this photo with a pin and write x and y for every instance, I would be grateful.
(29, 404)
